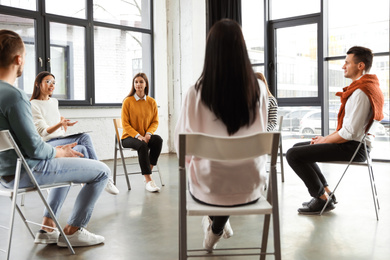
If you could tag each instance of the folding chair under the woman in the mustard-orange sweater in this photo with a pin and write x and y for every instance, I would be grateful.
(118, 147)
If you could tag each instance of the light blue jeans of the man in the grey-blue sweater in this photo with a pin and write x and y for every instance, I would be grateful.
(91, 172)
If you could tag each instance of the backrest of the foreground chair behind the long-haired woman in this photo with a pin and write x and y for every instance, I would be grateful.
(228, 148)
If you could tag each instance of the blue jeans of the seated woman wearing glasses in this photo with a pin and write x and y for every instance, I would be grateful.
(84, 144)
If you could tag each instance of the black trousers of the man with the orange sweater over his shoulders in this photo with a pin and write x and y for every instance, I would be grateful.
(302, 158)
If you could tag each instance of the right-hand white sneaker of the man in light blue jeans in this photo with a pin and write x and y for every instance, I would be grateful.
(81, 237)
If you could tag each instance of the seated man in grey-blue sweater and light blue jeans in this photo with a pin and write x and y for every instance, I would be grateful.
(48, 164)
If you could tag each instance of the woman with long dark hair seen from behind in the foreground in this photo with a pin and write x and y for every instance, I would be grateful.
(227, 100)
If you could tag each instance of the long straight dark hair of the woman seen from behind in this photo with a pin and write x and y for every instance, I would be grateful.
(228, 85)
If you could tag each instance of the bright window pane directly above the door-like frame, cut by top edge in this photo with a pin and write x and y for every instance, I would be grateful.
(287, 8)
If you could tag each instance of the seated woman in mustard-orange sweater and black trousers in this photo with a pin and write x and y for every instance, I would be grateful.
(140, 121)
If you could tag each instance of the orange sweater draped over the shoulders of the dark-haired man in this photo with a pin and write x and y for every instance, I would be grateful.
(369, 84)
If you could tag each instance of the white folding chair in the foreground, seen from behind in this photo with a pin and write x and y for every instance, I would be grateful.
(228, 149)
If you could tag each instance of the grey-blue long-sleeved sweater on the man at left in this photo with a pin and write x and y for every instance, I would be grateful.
(15, 116)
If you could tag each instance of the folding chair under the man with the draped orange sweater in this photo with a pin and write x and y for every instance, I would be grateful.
(367, 163)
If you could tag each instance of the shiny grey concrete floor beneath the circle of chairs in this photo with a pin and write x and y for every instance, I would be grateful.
(142, 225)
